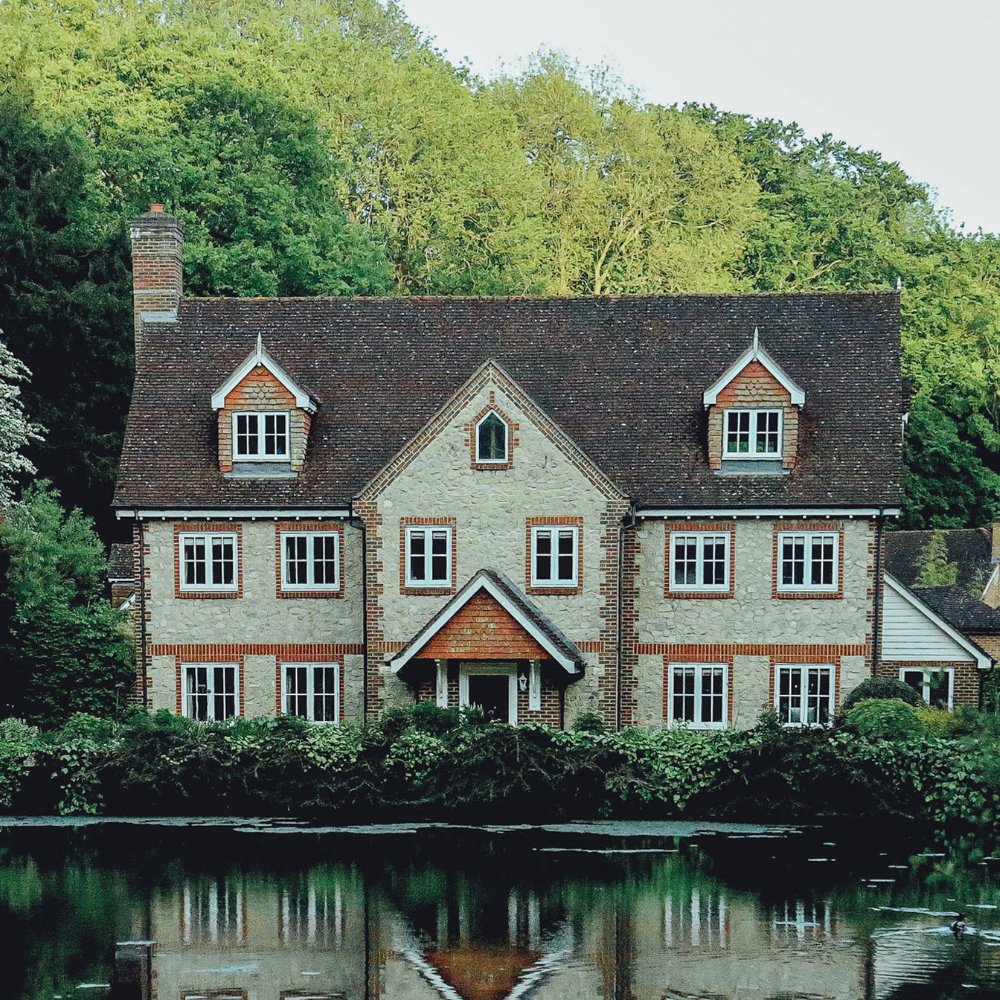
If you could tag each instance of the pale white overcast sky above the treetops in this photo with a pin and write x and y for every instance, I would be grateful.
(913, 79)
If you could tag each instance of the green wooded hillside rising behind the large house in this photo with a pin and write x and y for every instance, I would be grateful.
(324, 147)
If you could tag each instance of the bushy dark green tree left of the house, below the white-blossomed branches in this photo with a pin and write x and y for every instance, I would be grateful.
(65, 649)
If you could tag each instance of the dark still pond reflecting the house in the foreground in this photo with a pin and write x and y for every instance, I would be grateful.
(612, 911)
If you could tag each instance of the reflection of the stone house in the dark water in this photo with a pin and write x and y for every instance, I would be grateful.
(433, 933)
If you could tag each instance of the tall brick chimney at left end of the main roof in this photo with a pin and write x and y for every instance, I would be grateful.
(157, 268)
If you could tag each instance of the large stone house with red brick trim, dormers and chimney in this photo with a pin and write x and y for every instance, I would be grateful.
(657, 509)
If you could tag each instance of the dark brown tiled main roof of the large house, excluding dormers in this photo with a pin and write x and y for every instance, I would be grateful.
(624, 377)
